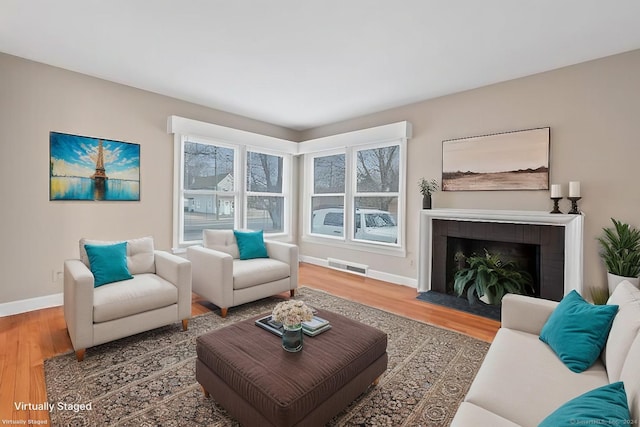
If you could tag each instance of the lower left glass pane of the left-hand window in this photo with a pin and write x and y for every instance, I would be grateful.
(206, 211)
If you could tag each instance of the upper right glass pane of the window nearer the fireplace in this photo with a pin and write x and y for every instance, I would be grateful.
(378, 170)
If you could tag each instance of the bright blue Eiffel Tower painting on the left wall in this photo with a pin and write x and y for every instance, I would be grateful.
(85, 168)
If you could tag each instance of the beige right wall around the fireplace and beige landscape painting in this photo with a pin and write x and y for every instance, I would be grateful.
(593, 111)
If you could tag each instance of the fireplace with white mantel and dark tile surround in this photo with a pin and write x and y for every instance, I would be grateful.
(551, 244)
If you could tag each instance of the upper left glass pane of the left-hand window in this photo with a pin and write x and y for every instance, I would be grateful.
(208, 167)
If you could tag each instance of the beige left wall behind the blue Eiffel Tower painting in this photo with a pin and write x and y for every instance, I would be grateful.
(37, 234)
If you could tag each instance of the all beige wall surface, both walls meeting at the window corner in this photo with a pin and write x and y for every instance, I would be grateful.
(592, 109)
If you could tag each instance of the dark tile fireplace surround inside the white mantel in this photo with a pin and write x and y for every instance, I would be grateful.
(547, 242)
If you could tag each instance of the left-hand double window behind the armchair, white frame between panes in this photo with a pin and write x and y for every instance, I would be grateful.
(228, 186)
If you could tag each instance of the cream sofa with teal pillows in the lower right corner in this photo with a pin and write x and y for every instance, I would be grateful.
(522, 381)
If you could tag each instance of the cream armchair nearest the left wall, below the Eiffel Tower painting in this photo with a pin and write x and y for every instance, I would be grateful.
(158, 294)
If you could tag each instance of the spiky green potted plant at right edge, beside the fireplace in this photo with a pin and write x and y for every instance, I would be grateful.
(620, 250)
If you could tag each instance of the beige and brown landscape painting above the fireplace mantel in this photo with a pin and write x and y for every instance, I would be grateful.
(506, 161)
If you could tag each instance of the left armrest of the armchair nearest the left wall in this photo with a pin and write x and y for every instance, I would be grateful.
(78, 303)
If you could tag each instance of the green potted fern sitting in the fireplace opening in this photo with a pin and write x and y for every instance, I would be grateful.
(489, 278)
